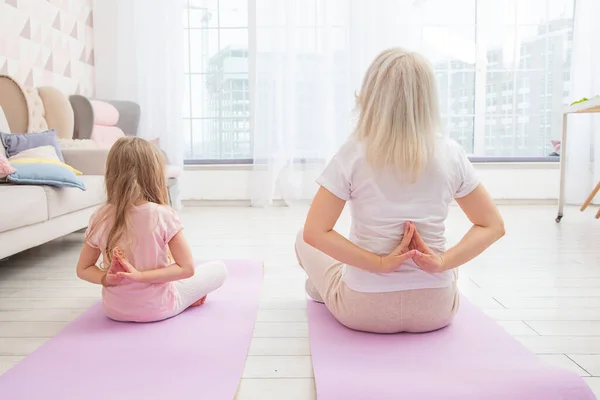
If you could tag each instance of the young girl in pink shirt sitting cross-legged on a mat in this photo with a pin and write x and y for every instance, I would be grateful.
(151, 275)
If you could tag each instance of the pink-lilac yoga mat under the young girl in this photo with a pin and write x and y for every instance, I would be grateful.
(199, 354)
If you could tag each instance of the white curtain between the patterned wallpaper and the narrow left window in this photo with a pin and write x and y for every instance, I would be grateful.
(139, 57)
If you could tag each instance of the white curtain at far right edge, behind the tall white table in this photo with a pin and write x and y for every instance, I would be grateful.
(583, 144)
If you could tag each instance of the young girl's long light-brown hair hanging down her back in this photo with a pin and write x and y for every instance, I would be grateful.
(135, 173)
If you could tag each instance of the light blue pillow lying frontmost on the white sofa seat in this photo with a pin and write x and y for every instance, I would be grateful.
(45, 174)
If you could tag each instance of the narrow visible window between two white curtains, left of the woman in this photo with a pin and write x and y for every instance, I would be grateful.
(217, 103)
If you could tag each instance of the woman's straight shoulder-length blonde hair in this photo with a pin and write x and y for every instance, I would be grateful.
(398, 113)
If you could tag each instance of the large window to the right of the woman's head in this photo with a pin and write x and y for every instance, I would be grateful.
(504, 93)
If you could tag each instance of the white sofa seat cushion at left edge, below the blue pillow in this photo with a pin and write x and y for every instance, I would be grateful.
(22, 206)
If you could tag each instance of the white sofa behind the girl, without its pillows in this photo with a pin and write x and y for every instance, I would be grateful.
(33, 215)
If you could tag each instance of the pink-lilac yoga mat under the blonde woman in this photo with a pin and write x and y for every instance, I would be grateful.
(472, 359)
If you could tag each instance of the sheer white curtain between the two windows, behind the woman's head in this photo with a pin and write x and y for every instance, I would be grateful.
(310, 60)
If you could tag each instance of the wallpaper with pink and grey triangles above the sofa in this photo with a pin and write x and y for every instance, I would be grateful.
(48, 43)
